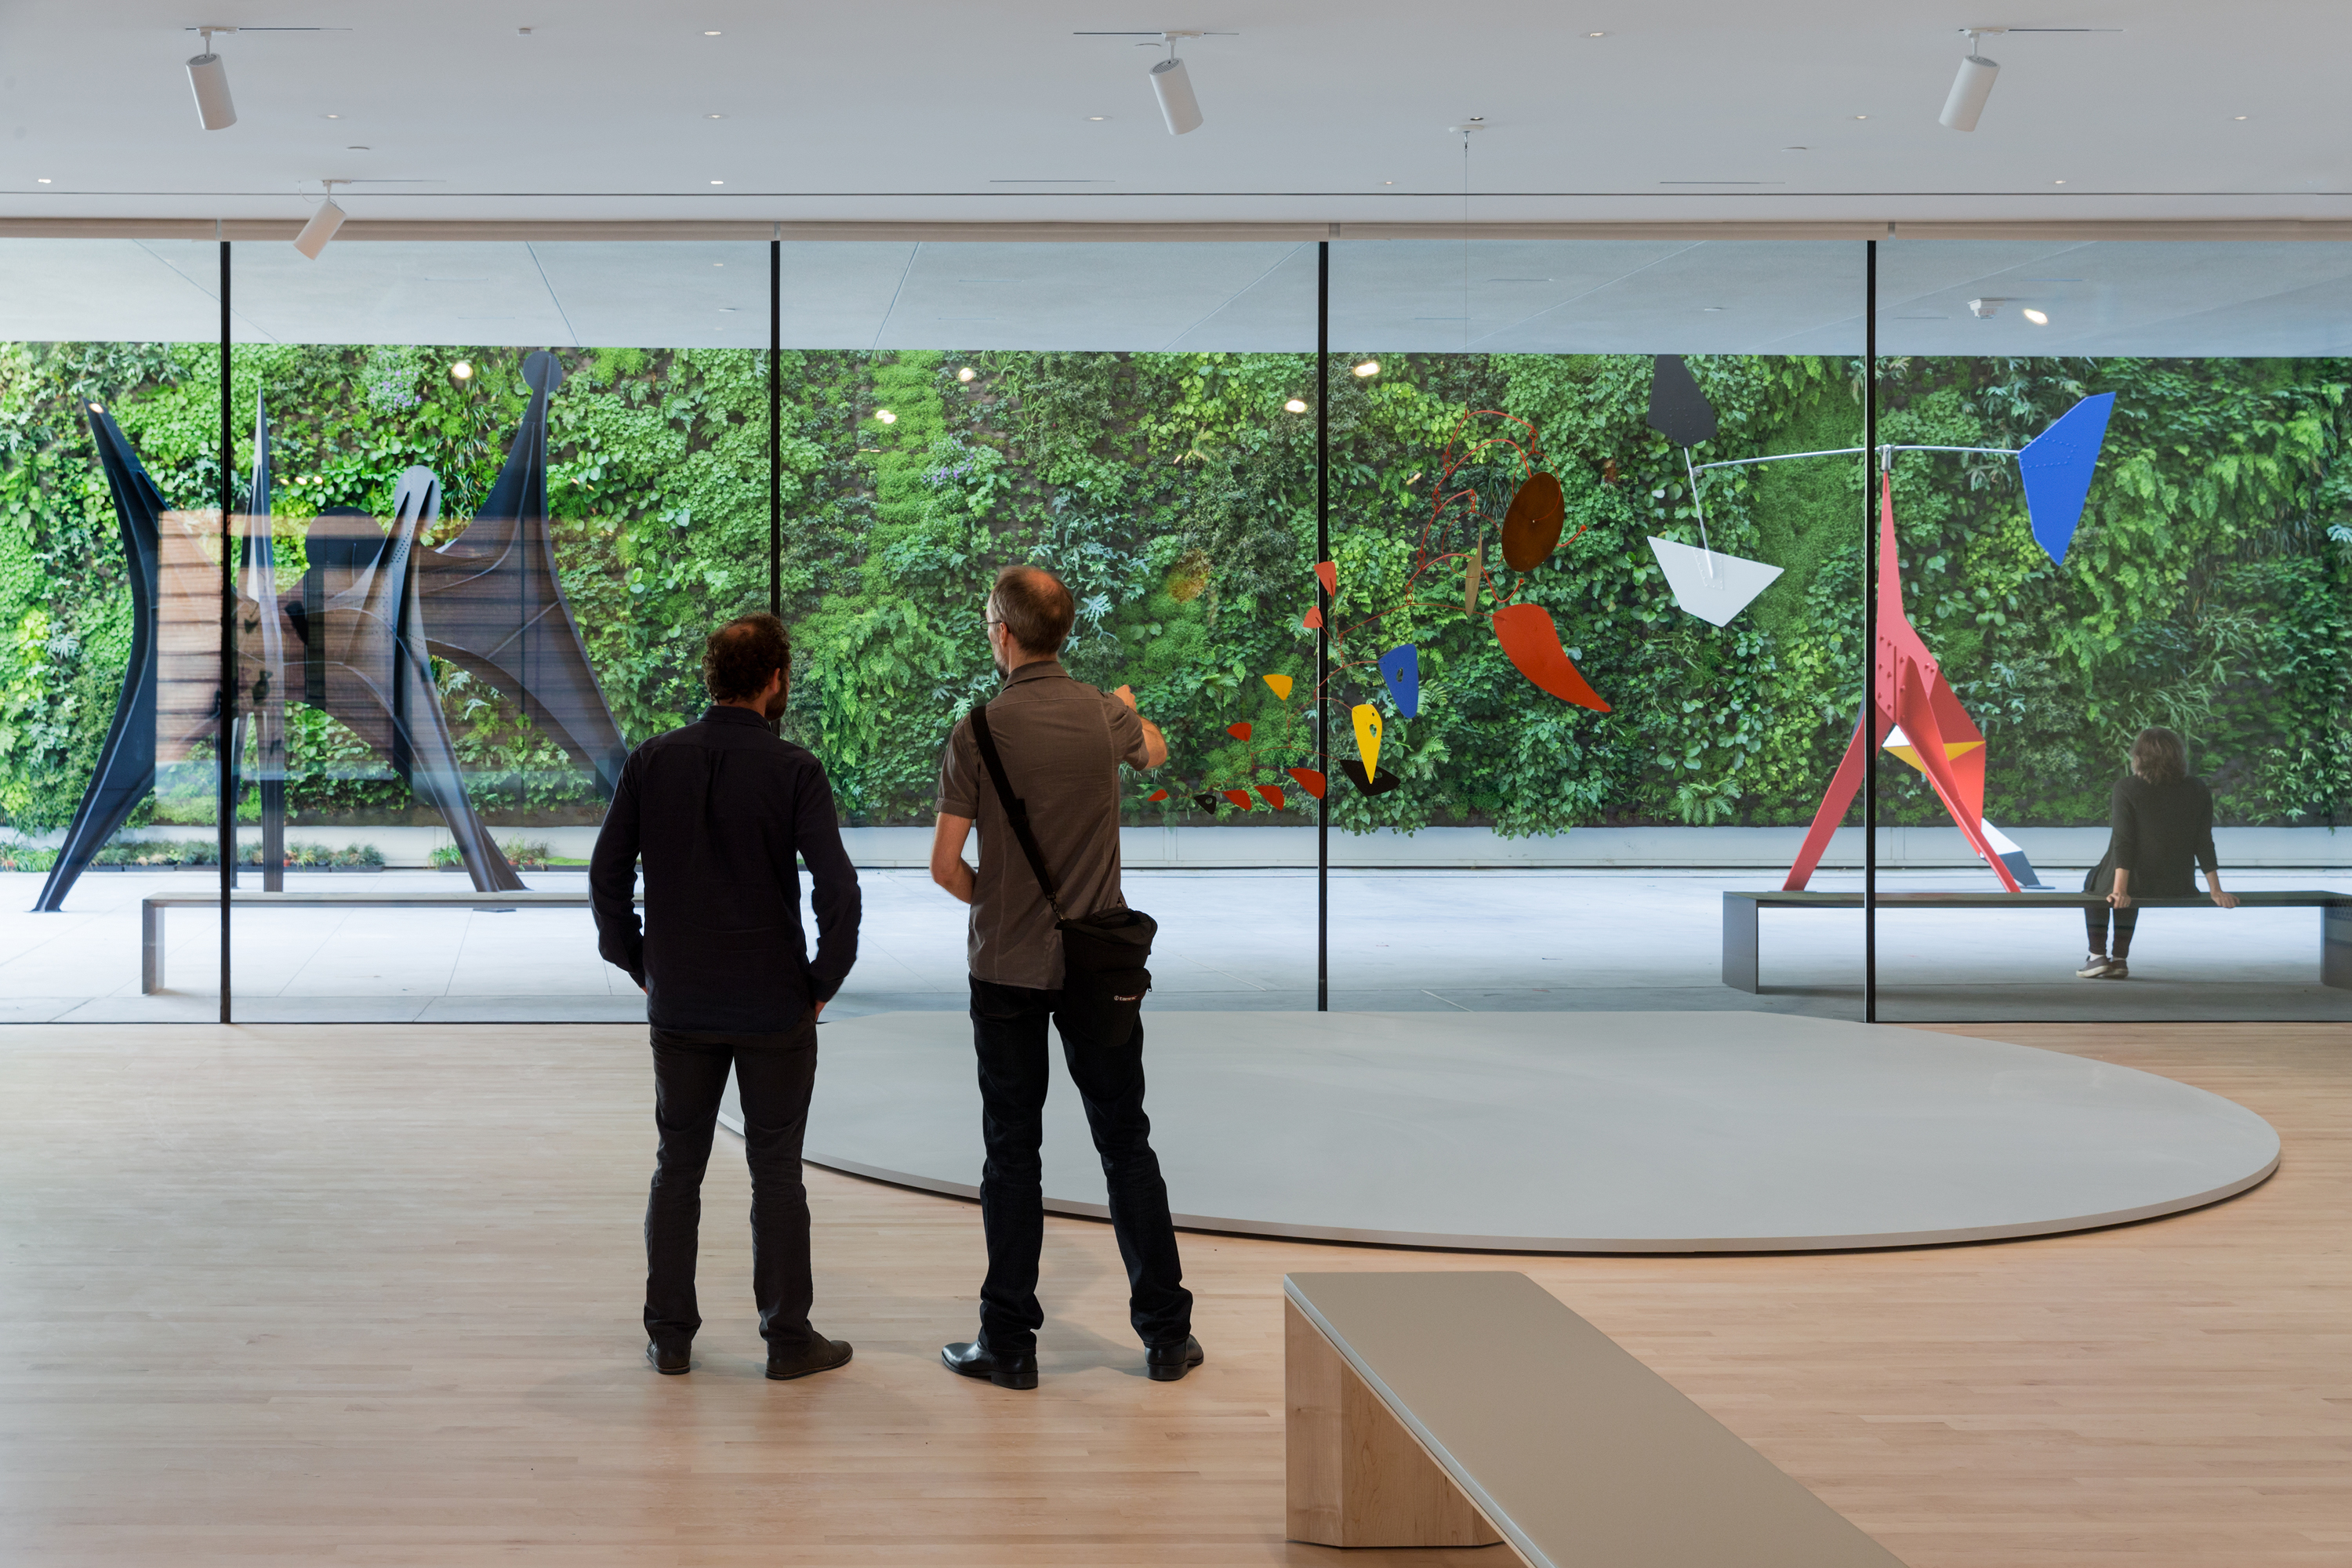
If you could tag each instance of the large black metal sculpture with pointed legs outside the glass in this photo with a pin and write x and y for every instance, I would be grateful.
(373, 612)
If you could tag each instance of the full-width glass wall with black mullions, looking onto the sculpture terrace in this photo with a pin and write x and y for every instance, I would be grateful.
(490, 497)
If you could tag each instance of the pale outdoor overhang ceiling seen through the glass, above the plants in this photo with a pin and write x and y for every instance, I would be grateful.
(1387, 295)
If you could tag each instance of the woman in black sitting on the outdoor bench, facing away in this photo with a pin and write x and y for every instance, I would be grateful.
(2160, 829)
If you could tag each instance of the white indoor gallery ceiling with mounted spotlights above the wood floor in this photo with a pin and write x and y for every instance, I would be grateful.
(947, 112)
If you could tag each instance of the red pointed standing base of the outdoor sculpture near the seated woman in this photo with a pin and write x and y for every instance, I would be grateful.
(1909, 690)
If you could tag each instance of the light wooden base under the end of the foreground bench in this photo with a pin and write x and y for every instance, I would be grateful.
(1356, 1477)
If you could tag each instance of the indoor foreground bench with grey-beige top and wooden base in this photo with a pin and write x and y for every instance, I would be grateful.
(1464, 1409)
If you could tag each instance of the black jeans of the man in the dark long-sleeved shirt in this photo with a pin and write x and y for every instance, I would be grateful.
(775, 1076)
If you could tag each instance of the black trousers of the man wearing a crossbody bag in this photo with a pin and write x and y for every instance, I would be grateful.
(1008, 1028)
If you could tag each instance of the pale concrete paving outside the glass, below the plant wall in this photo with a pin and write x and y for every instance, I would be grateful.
(1229, 942)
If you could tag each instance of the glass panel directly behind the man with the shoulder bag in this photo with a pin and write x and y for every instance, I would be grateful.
(1121, 415)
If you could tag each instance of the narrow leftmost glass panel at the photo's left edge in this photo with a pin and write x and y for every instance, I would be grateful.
(109, 502)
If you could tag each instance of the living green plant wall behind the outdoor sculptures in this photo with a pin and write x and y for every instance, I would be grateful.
(1177, 497)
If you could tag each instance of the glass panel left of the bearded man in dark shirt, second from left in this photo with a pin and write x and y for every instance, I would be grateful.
(512, 488)
